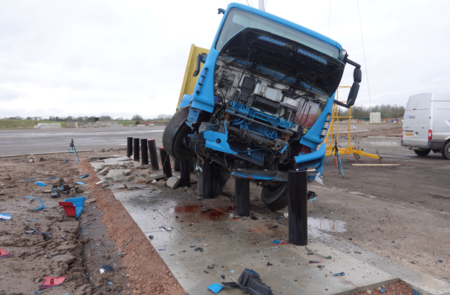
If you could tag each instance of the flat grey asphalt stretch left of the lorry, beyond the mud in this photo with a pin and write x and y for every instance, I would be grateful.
(39, 141)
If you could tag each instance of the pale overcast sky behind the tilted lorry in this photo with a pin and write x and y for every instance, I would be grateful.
(121, 58)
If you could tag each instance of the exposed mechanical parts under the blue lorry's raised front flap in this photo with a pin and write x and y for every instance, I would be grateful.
(262, 115)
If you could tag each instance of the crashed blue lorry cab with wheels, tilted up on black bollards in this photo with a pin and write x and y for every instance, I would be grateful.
(262, 102)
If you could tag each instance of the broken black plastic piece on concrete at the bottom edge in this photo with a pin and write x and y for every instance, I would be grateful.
(250, 282)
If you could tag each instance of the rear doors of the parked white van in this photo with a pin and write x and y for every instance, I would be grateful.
(416, 122)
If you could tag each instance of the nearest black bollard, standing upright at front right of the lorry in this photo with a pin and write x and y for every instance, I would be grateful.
(298, 207)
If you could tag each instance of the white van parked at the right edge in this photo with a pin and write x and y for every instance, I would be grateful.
(426, 125)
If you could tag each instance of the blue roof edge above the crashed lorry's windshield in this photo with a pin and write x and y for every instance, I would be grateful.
(286, 23)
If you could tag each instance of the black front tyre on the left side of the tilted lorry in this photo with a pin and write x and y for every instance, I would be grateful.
(175, 136)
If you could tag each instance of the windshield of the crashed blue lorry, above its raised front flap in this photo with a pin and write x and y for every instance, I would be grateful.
(238, 19)
